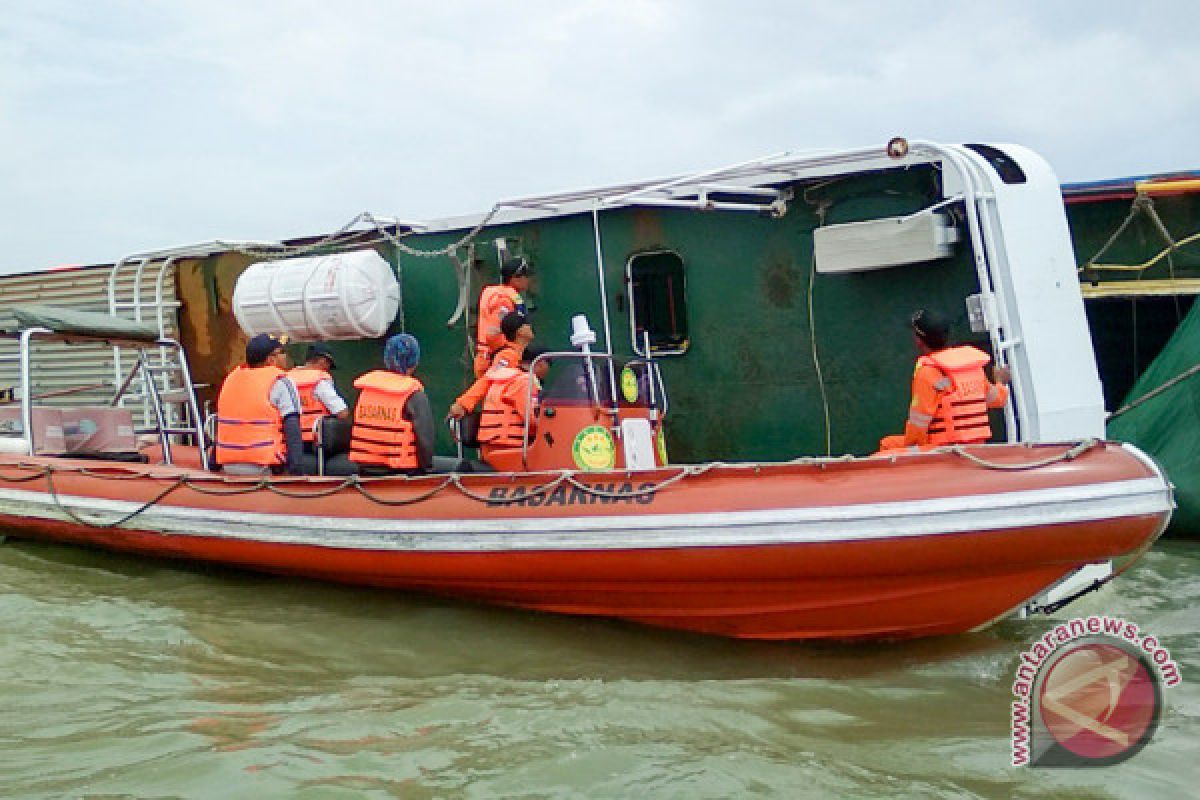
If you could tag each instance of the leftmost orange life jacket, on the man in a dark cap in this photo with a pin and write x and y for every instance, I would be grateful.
(250, 430)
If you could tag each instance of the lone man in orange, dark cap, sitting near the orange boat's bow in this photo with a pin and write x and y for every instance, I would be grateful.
(951, 393)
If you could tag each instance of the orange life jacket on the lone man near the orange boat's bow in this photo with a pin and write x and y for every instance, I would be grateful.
(962, 416)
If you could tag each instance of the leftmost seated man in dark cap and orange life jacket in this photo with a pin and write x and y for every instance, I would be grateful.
(259, 414)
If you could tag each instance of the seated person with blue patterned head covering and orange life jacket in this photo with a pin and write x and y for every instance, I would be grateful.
(393, 422)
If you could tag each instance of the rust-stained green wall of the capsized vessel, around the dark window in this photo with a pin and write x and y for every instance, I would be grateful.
(748, 386)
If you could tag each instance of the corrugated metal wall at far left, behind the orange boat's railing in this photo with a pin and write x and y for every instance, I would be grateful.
(59, 368)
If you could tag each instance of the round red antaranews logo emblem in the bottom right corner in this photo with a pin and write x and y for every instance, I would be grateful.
(1100, 702)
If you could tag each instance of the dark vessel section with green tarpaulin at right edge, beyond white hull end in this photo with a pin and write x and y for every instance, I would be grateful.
(1138, 246)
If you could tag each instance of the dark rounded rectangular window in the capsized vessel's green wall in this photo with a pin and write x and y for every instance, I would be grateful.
(658, 303)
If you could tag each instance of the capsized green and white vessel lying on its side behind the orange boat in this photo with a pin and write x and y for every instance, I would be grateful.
(775, 294)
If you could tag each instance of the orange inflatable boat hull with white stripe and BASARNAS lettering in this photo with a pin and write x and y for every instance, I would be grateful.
(916, 545)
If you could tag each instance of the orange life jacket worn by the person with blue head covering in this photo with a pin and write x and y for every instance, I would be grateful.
(382, 436)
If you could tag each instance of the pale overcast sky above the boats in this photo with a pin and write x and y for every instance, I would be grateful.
(130, 127)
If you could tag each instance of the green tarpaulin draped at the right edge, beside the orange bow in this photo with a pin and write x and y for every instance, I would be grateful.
(1168, 425)
